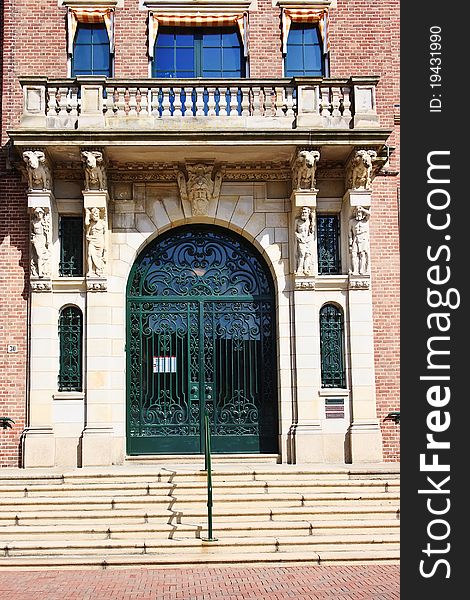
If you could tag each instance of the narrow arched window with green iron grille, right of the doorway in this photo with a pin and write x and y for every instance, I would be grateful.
(332, 347)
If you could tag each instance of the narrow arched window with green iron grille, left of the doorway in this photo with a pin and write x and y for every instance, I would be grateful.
(70, 349)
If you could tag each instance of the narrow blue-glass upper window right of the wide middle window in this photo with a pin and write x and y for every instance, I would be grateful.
(304, 57)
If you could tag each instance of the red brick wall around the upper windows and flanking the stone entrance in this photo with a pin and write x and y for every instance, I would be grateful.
(364, 40)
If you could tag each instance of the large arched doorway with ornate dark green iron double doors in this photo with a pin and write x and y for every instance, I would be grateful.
(201, 337)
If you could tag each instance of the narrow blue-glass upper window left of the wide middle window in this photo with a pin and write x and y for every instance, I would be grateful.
(91, 50)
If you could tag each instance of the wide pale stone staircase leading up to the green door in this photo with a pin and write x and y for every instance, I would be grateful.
(155, 516)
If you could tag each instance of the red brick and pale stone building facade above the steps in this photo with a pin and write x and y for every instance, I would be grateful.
(247, 151)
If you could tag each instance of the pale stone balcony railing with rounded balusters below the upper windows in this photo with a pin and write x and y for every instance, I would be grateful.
(98, 102)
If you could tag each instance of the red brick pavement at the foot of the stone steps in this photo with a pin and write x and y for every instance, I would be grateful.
(234, 583)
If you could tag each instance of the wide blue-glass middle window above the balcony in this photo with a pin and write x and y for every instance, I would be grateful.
(206, 52)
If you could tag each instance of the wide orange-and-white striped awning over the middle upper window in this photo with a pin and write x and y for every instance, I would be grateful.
(199, 20)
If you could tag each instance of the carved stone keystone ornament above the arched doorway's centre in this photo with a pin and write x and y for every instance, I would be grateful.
(200, 189)
